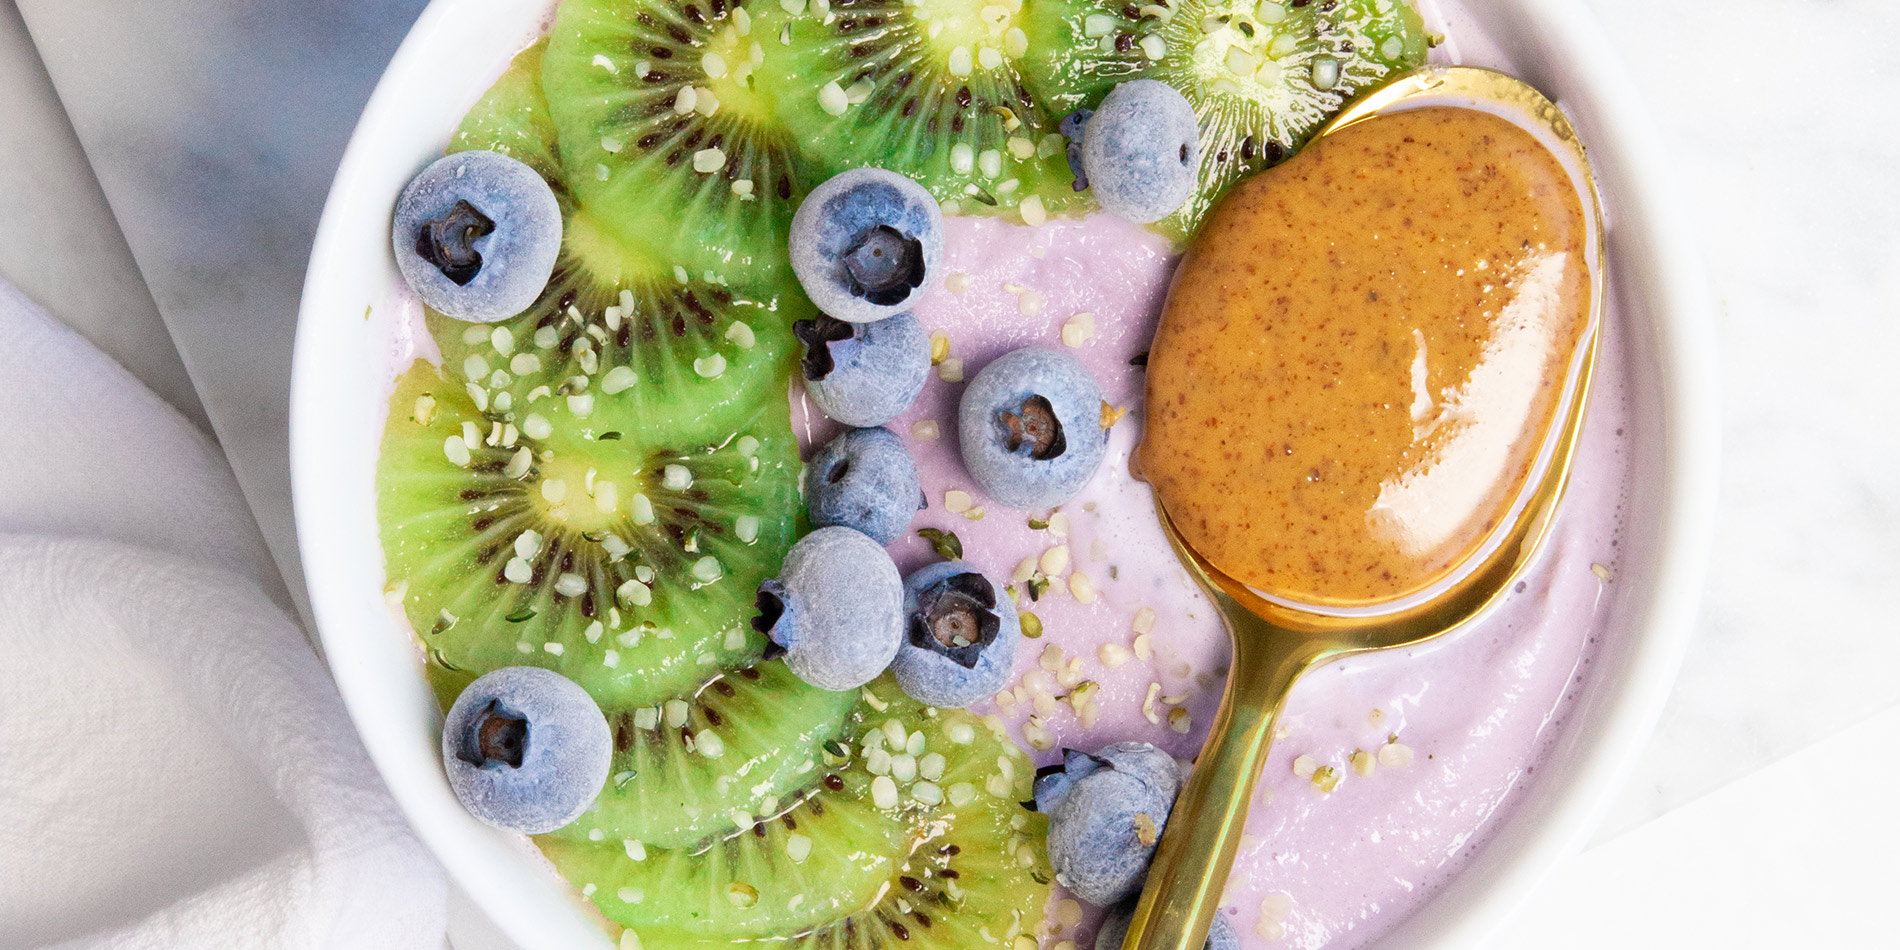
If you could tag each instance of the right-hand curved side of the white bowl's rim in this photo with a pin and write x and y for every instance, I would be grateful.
(1625, 153)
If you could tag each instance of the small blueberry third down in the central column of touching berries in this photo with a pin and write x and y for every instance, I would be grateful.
(865, 480)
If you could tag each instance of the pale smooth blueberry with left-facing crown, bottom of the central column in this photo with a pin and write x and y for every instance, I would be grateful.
(835, 609)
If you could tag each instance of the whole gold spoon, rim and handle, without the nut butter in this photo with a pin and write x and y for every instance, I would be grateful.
(1276, 641)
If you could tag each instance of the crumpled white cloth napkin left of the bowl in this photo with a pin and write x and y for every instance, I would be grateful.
(176, 765)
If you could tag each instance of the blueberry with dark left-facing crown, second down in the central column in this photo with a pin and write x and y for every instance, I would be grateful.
(865, 373)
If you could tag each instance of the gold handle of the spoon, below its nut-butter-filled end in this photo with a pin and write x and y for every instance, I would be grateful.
(1204, 831)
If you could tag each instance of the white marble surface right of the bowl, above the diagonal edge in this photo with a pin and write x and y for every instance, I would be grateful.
(1791, 183)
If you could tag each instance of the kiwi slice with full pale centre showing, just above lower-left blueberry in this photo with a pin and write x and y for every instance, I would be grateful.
(626, 563)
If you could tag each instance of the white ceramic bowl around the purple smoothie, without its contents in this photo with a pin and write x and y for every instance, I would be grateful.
(341, 387)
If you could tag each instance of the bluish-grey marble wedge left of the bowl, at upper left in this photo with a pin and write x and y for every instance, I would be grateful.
(214, 128)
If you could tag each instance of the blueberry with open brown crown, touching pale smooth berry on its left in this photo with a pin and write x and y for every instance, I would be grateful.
(960, 636)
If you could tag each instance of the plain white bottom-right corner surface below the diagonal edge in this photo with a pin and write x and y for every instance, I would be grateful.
(1798, 854)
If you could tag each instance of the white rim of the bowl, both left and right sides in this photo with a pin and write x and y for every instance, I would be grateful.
(1468, 911)
